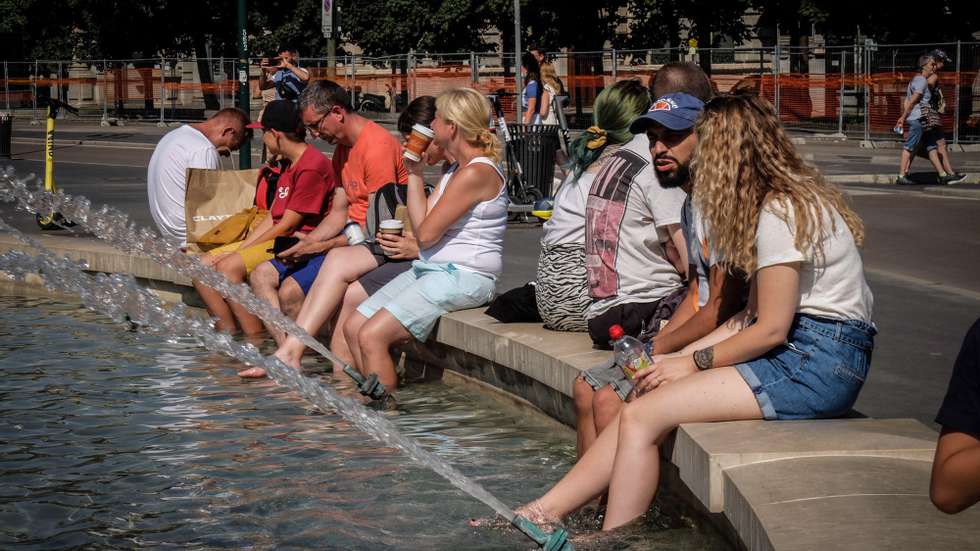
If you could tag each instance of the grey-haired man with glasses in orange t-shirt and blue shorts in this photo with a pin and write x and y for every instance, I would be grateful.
(366, 158)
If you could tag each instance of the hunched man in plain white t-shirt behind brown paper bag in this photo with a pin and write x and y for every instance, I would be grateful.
(190, 146)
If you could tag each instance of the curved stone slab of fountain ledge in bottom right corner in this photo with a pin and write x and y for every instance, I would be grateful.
(843, 503)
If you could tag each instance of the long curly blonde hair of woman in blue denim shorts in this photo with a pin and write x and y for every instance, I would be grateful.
(743, 161)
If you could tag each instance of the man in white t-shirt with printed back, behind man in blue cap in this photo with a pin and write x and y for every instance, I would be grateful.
(635, 251)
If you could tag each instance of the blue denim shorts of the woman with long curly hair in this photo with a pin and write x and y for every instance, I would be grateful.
(817, 373)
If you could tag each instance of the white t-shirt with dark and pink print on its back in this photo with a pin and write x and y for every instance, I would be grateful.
(627, 214)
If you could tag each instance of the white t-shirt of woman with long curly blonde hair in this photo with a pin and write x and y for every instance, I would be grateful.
(832, 285)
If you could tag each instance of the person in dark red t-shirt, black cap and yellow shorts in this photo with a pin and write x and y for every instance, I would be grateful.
(303, 193)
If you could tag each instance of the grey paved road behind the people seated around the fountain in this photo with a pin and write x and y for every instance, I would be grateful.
(920, 258)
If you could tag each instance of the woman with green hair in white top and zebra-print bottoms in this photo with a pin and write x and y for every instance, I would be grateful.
(562, 289)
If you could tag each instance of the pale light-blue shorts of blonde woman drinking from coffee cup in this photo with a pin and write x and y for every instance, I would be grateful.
(420, 296)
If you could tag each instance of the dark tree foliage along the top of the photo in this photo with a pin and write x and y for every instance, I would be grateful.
(61, 29)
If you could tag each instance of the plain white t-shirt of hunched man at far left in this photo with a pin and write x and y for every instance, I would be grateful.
(166, 179)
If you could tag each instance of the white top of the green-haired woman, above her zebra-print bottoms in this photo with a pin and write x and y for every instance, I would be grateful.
(567, 222)
